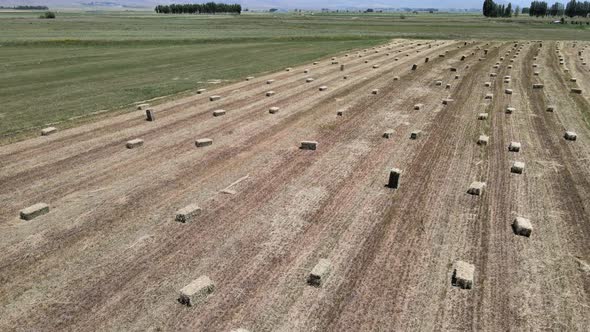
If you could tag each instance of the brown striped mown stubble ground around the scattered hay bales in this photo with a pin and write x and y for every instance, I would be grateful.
(109, 255)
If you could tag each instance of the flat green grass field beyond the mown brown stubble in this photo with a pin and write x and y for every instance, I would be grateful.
(83, 62)
